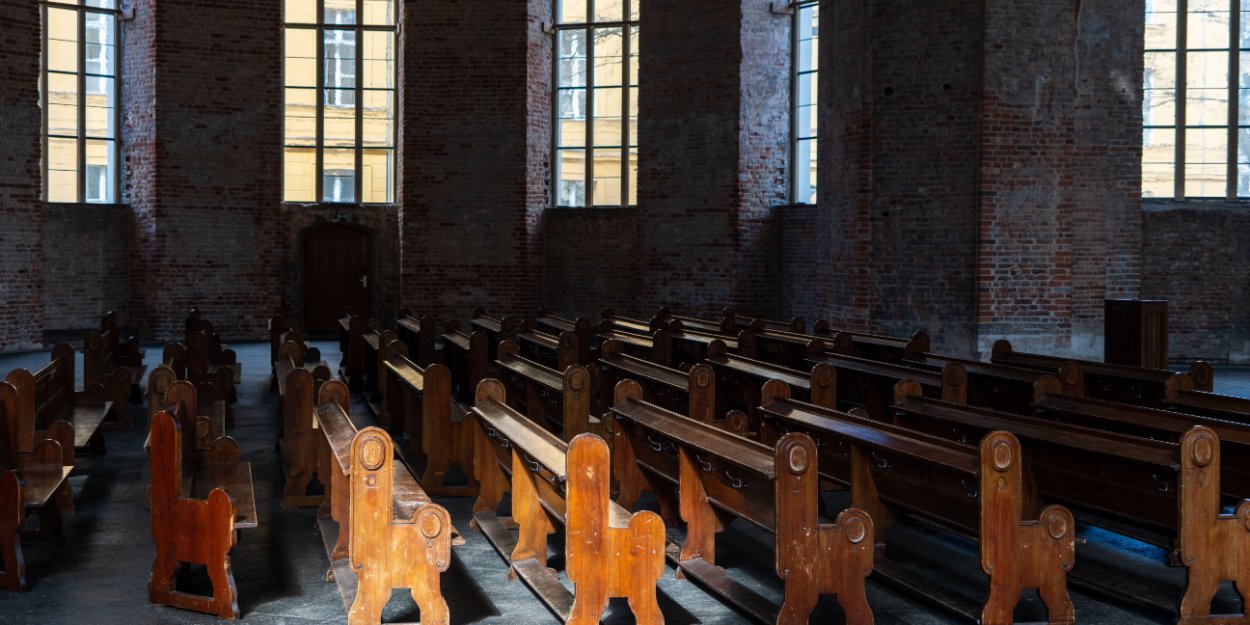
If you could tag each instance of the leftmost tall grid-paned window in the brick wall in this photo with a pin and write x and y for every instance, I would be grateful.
(81, 102)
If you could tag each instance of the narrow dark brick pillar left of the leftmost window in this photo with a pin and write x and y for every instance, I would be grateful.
(22, 294)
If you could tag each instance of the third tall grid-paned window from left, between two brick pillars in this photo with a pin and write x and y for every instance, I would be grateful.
(597, 103)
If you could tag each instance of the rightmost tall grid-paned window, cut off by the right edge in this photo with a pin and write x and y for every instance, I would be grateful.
(1197, 101)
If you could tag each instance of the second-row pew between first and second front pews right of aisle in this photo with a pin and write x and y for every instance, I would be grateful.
(419, 402)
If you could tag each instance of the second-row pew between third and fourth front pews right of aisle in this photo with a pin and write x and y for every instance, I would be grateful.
(692, 393)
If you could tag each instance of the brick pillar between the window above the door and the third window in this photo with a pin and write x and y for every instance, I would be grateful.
(477, 142)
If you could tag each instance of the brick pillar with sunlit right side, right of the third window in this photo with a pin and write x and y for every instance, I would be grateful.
(713, 133)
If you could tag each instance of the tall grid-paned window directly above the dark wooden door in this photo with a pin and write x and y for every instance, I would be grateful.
(341, 77)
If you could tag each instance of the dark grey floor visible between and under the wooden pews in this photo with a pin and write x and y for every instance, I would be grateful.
(101, 573)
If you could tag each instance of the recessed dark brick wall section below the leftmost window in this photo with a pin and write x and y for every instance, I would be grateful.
(87, 264)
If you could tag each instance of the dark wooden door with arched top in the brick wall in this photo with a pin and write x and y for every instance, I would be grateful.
(336, 276)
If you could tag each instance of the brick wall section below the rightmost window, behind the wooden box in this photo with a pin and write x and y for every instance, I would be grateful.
(1196, 257)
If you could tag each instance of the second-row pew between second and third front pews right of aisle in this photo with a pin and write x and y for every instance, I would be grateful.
(559, 402)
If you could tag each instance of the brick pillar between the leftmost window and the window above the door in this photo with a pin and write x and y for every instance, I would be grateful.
(203, 147)
